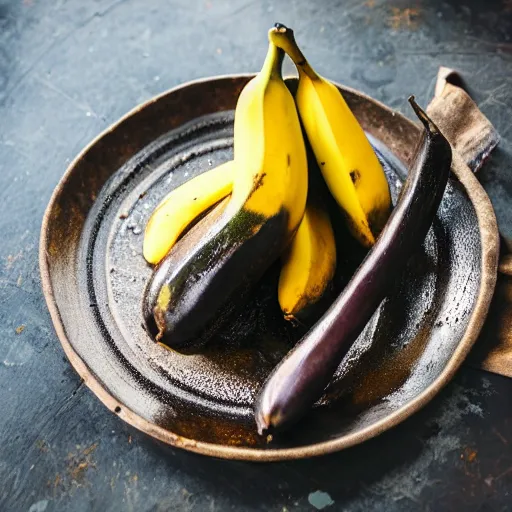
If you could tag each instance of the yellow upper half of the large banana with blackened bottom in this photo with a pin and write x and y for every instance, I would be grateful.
(269, 148)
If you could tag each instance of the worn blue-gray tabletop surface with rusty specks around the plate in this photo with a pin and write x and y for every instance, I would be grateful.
(69, 68)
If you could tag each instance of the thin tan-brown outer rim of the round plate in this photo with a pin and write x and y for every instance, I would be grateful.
(489, 261)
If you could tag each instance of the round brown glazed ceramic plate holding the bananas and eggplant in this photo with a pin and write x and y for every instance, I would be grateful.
(93, 277)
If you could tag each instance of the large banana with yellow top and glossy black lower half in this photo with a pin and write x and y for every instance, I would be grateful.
(189, 298)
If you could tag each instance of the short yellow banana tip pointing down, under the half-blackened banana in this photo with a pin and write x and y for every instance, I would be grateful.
(308, 263)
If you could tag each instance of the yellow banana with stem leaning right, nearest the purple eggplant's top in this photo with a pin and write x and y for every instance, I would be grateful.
(347, 161)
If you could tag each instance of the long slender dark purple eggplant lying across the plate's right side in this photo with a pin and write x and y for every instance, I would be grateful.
(300, 379)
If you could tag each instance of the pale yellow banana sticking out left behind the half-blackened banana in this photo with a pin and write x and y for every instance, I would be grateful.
(181, 206)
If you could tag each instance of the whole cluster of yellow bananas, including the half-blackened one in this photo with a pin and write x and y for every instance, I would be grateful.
(265, 210)
